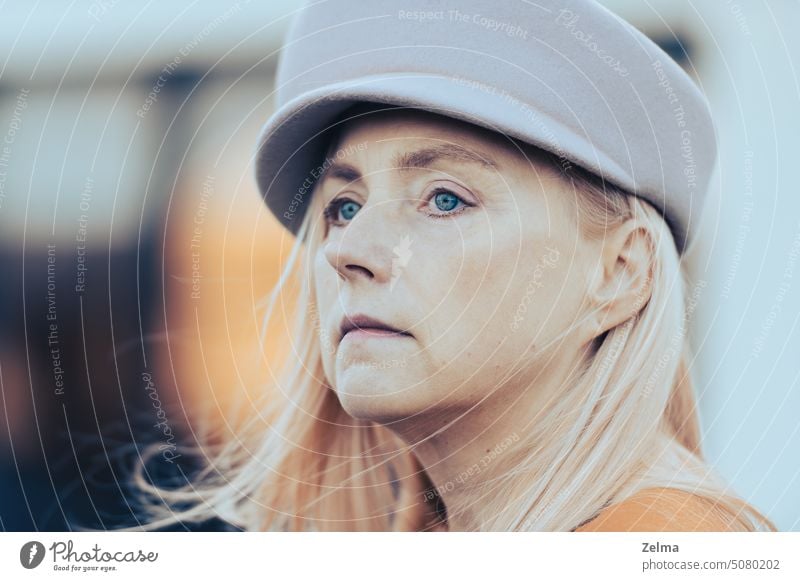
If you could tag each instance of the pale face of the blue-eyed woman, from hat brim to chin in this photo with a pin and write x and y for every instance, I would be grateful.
(445, 231)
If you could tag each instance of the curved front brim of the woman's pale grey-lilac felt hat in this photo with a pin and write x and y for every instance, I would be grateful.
(294, 140)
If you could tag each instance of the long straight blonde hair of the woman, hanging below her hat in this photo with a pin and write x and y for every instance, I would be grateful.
(625, 421)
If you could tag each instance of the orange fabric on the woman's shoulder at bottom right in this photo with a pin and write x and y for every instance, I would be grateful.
(660, 509)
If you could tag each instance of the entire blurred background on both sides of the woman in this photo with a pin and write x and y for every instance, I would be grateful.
(136, 256)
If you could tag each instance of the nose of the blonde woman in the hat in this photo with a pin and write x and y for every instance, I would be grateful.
(363, 249)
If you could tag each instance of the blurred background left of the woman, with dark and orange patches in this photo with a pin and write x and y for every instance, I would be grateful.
(121, 164)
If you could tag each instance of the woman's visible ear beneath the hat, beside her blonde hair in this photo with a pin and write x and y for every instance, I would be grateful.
(623, 282)
